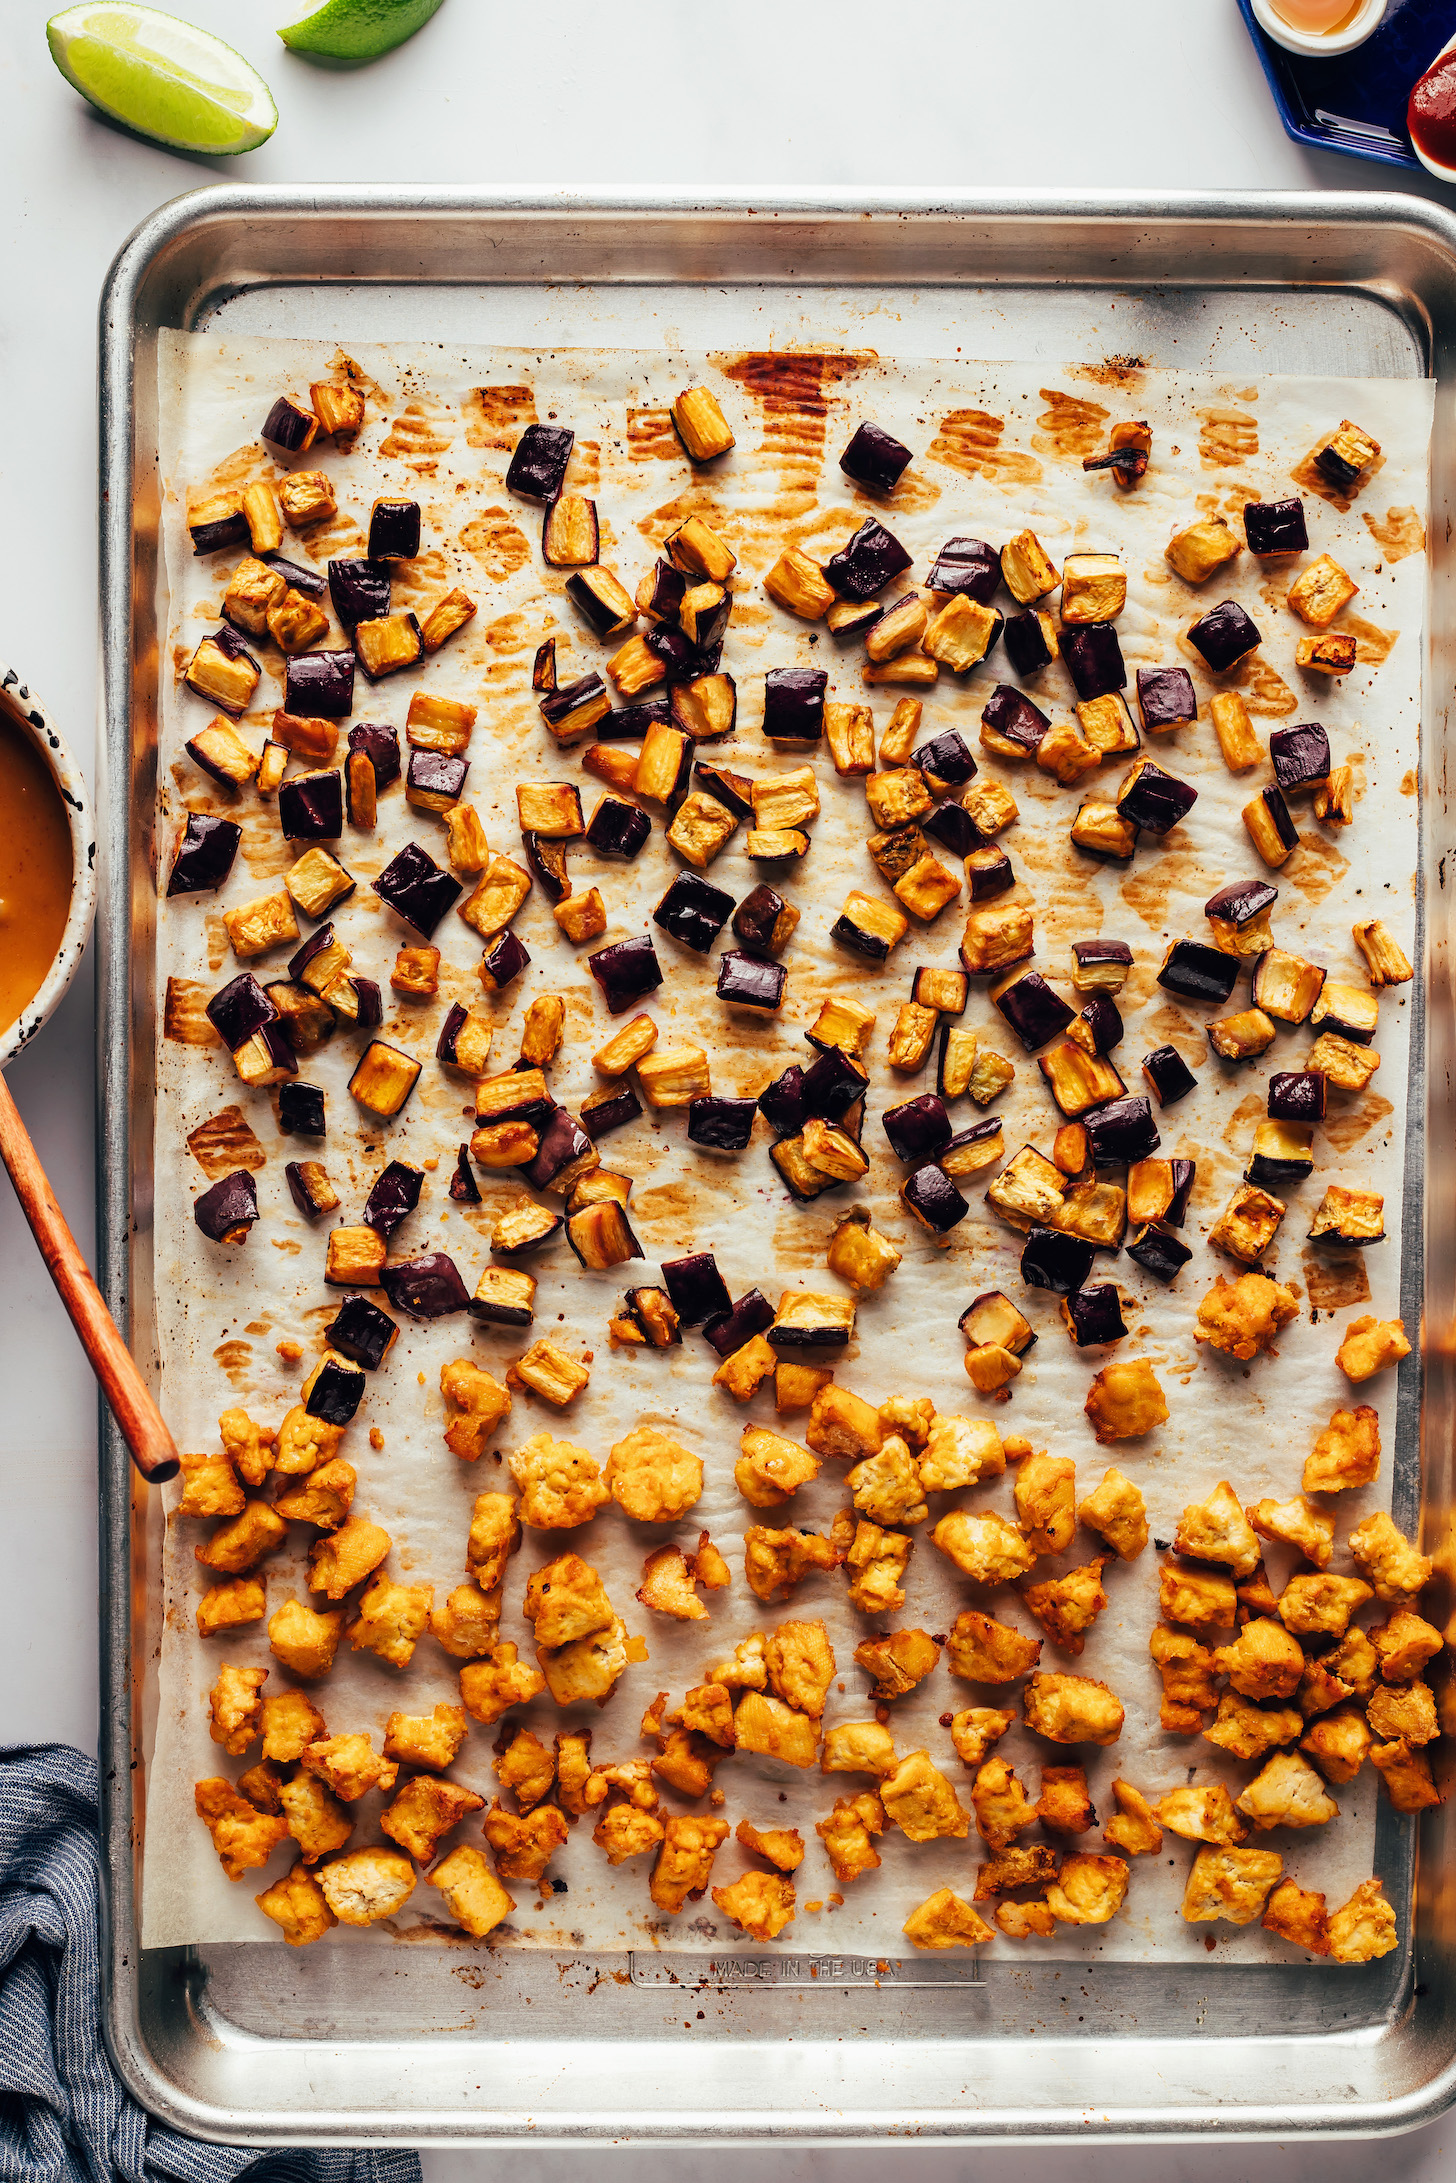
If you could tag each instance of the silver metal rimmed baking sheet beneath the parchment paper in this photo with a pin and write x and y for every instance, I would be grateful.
(263, 2044)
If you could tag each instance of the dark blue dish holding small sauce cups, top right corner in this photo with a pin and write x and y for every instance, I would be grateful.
(1357, 102)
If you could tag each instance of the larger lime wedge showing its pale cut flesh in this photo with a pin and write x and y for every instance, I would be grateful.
(163, 77)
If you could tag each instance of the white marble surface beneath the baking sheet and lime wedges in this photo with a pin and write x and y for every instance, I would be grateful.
(813, 93)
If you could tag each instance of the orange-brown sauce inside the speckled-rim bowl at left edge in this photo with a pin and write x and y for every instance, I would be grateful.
(36, 872)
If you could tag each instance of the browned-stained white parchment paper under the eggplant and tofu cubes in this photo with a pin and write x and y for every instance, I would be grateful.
(999, 449)
